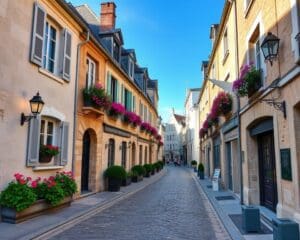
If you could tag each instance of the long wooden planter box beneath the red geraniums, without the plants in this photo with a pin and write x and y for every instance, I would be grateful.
(40, 207)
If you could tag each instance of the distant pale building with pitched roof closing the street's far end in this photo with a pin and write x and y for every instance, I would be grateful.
(173, 150)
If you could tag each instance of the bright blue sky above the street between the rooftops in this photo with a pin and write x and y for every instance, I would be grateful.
(170, 38)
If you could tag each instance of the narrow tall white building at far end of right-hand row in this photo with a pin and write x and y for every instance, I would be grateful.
(191, 145)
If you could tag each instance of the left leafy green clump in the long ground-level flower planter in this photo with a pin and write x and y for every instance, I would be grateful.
(17, 196)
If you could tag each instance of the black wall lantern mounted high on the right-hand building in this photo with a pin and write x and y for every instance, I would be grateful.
(270, 47)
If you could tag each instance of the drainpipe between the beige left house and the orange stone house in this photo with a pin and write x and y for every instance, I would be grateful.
(76, 98)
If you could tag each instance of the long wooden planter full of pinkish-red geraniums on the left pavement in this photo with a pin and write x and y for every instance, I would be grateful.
(25, 198)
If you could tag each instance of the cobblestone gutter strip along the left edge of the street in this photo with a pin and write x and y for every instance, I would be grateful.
(60, 227)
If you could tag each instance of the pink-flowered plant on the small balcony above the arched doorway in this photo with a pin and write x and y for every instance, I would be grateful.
(96, 96)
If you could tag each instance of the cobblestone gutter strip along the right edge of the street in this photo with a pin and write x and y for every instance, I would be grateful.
(218, 227)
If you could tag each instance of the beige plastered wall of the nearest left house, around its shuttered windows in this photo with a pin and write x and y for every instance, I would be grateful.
(20, 81)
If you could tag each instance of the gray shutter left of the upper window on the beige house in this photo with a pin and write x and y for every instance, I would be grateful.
(38, 30)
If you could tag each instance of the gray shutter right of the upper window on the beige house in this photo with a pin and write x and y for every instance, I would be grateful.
(67, 55)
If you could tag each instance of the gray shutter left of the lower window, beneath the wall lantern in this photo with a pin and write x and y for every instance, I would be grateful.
(33, 142)
